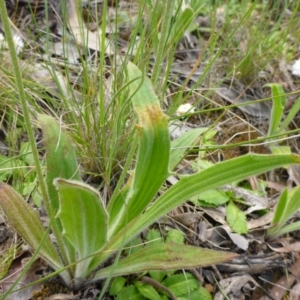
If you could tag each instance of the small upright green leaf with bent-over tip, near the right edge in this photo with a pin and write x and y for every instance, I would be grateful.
(279, 100)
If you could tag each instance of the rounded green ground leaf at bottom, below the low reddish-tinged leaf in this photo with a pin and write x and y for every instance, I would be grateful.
(181, 284)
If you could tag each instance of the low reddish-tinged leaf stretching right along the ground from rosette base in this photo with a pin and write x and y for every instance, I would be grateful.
(168, 256)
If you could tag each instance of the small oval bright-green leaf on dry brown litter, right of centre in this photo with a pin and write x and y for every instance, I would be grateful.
(236, 218)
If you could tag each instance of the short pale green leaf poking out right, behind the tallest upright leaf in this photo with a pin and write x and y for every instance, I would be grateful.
(180, 145)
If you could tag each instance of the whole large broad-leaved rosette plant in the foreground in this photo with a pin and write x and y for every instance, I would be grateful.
(88, 231)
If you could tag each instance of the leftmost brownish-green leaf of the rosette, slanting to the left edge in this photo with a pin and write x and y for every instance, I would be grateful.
(26, 222)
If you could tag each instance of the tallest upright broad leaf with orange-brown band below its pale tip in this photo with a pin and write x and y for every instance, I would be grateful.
(153, 154)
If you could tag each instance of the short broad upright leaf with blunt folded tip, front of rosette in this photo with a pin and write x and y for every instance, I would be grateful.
(84, 219)
